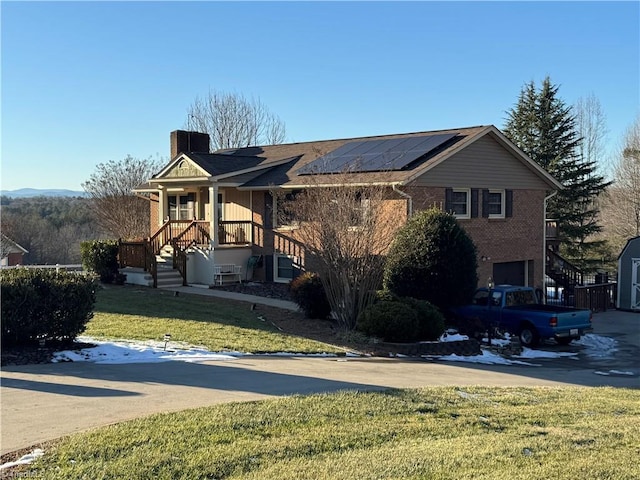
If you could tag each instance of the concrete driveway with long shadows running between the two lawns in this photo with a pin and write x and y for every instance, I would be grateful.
(44, 402)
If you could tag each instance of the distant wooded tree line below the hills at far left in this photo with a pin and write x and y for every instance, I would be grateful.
(50, 228)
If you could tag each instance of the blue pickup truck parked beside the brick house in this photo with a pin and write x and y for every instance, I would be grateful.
(516, 310)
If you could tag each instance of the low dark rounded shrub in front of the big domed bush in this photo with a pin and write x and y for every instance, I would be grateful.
(390, 321)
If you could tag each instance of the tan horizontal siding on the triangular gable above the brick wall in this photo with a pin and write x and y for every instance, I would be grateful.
(484, 164)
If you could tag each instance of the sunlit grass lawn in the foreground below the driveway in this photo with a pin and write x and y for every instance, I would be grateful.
(433, 433)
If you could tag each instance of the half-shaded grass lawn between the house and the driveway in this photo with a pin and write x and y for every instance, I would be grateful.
(147, 314)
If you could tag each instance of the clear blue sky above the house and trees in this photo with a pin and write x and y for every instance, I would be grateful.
(88, 82)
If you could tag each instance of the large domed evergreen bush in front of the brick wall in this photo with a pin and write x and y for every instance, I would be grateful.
(432, 258)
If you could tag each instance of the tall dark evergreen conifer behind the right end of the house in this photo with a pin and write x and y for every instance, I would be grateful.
(544, 128)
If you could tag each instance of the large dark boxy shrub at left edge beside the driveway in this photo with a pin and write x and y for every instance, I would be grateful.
(44, 304)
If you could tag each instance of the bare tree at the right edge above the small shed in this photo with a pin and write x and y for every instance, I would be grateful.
(621, 206)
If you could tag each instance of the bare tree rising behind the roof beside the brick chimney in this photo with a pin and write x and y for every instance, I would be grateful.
(233, 121)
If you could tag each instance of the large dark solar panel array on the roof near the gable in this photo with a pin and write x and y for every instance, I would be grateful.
(376, 155)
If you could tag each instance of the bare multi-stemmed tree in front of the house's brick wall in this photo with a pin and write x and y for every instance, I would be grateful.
(346, 231)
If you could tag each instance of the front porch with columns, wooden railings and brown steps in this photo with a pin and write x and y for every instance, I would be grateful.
(192, 236)
